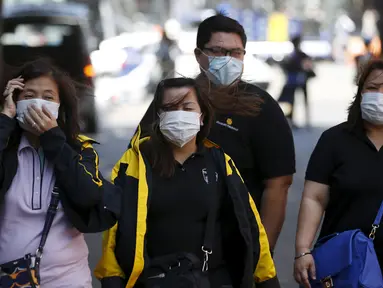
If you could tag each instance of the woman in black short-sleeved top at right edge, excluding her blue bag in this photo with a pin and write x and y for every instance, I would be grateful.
(344, 176)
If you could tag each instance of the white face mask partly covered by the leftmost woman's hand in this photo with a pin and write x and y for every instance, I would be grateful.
(22, 109)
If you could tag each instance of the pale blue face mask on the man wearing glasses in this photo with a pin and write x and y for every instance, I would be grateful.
(224, 70)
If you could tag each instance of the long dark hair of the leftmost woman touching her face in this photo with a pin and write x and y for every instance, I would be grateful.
(68, 119)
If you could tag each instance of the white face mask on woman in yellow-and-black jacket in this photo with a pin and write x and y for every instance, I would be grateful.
(179, 127)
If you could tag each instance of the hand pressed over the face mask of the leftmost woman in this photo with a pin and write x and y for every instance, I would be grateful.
(40, 120)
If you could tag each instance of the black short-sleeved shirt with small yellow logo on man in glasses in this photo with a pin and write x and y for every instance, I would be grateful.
(262, 147)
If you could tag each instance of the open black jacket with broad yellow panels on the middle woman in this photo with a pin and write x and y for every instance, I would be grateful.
(124, 251)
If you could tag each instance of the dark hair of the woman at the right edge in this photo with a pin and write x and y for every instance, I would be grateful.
(354, 111)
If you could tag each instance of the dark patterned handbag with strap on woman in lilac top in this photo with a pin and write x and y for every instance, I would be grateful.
(24, 272)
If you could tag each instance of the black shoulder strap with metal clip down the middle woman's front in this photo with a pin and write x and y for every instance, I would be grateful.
(207, 247)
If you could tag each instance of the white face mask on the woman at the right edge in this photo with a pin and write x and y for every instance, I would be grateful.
(372, 107)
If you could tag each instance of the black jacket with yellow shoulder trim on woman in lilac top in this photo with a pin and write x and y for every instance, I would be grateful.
(84, 193)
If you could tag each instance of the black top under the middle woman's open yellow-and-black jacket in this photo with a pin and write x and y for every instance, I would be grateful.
(179, 207)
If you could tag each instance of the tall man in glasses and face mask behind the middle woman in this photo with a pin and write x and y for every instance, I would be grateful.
(249, 124)
